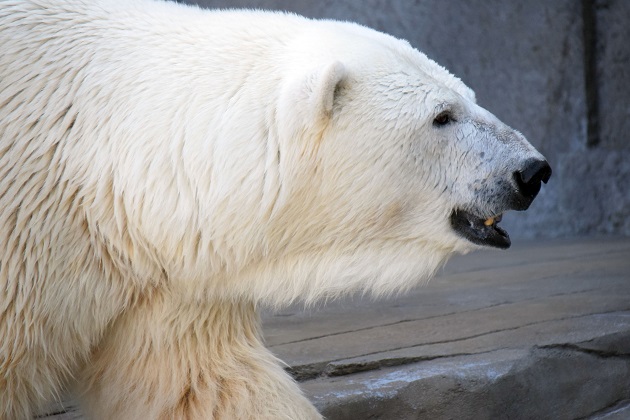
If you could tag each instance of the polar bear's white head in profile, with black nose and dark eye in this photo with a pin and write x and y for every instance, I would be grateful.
(396, 157)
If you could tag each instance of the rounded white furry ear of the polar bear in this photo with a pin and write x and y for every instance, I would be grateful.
(308, 100)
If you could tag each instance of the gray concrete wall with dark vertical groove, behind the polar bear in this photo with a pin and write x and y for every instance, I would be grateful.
(558, 71)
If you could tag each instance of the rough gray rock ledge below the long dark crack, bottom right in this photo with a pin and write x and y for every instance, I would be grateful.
(554, 382)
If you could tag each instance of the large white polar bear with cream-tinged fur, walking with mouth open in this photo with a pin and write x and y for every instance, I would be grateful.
(165, 170)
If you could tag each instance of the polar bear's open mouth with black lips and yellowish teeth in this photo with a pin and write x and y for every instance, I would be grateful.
(480, 231)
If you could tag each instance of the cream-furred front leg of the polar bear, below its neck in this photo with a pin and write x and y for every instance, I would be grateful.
(167, 359)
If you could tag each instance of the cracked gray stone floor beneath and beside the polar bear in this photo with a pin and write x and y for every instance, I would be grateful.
(541, 331)
